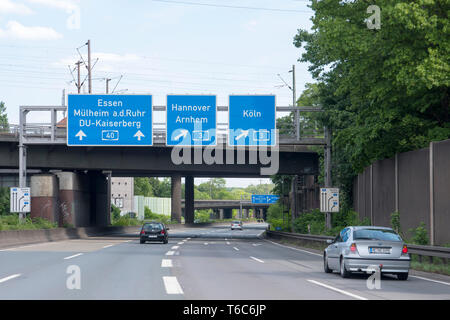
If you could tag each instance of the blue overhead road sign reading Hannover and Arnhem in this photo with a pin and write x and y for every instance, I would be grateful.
(191, 120)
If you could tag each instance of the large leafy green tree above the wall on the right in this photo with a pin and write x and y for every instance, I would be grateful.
(383, 91)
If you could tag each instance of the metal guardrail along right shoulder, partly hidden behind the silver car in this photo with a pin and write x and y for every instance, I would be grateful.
(419, 250)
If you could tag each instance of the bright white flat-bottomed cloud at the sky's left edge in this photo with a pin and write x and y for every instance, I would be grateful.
(16, 30)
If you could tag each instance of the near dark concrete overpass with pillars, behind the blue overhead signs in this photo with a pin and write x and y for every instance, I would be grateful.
(74, 186)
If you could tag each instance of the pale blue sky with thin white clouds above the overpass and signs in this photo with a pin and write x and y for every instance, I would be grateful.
(158, 47)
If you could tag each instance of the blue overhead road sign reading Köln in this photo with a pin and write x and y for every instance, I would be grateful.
(252, 120)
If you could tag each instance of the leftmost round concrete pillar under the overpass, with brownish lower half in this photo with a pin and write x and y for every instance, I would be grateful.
(44, 197)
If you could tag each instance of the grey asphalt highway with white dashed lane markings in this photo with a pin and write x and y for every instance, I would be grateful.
(197, 263)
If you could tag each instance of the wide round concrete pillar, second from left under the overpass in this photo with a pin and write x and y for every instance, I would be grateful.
(74, 199)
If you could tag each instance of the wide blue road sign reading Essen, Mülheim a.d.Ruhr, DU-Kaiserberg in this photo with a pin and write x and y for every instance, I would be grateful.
(109, 120)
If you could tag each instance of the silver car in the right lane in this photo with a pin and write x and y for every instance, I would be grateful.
(365, 249)
